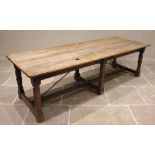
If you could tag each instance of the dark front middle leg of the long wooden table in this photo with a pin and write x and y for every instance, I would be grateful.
(101, 77)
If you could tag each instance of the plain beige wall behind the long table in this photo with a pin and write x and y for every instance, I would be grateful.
(21, 40)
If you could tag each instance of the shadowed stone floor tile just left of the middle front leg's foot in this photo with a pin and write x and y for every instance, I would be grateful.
(83, 96)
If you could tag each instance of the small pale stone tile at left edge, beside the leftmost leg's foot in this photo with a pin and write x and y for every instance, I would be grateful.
(7, 94)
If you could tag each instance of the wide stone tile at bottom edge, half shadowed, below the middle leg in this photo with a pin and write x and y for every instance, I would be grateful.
(91, 115)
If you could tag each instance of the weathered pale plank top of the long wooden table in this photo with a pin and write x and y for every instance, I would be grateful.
(52, 60)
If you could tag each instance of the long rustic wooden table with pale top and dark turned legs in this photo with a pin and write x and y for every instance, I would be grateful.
(41, 64)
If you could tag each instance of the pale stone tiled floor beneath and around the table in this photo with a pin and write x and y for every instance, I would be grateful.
(127, 99)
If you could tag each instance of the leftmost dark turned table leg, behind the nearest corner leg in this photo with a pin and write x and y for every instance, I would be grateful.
(19, 81)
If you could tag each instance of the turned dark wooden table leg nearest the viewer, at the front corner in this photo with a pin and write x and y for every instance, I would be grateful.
(37, 99)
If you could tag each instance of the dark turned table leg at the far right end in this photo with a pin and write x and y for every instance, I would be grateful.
(140, 58)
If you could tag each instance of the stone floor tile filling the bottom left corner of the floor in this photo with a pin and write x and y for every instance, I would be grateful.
(12, 114)
